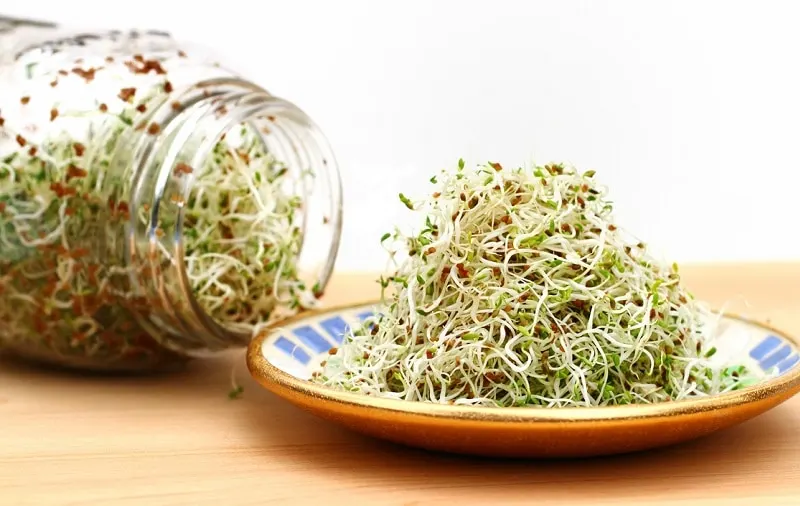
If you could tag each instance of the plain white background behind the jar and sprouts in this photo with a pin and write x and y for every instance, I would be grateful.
(688, 110)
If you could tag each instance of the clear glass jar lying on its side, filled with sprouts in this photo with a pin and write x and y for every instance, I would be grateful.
(154, 205)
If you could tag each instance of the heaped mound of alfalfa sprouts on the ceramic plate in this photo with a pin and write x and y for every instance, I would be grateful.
(520, 290)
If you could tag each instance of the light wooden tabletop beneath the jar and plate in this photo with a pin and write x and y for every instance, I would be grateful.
(178, 439)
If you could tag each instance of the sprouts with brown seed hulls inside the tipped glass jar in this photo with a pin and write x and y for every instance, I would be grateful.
(69, 287)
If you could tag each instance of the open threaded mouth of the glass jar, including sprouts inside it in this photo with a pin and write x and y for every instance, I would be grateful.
(245, 213)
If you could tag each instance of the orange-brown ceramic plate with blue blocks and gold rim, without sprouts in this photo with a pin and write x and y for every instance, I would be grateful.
(283, 360)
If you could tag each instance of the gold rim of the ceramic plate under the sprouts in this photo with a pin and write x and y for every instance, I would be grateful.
(280, 382)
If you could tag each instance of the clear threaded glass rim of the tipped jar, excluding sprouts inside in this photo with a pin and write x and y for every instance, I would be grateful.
(211, 109)
